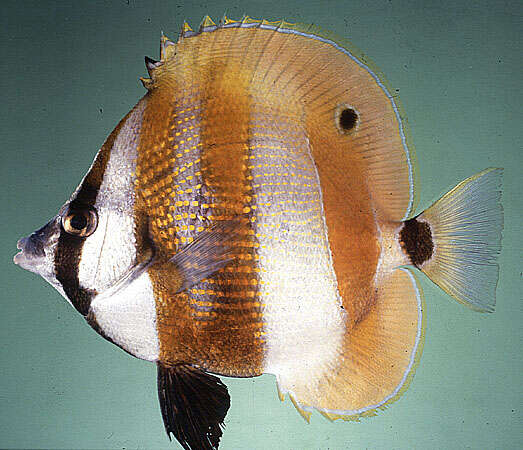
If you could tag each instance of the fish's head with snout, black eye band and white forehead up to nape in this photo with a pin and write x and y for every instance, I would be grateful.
(95, 241)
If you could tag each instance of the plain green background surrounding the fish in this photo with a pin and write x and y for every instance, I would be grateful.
(69, 73)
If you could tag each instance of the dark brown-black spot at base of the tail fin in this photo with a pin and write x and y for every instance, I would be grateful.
(416, 240)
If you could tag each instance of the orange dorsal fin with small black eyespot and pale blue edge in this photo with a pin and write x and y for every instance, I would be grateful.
(354, 121)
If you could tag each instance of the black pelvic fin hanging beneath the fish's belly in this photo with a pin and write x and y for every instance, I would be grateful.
(194, 405)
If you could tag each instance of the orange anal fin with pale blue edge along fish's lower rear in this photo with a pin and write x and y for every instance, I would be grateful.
(378, 358)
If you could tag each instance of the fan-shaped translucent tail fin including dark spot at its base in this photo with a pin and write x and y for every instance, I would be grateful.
(459, 246)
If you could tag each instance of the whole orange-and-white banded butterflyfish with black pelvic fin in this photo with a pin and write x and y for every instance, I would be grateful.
(255, 213)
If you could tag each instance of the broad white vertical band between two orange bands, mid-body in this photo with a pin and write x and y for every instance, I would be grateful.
(295, 261)
